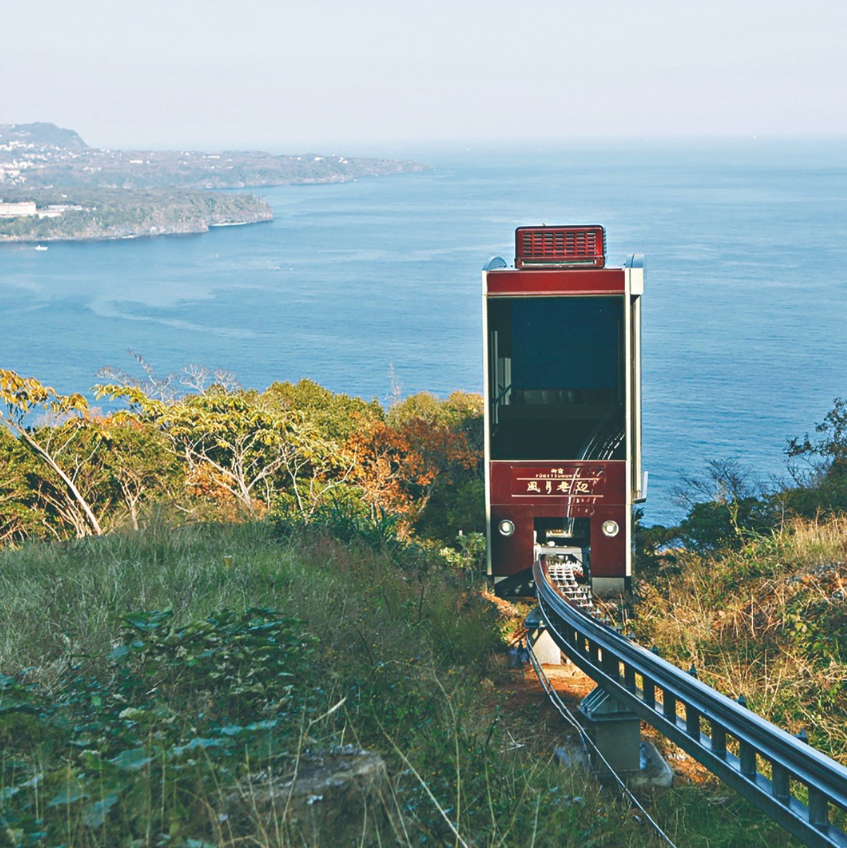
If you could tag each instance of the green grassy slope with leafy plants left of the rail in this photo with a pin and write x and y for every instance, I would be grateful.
(134, 731)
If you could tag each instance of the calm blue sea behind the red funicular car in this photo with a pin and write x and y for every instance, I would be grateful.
(376, 283)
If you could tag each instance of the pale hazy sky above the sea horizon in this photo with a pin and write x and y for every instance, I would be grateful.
(295, 76)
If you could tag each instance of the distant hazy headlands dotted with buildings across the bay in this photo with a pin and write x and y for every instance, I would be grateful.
(54, 187)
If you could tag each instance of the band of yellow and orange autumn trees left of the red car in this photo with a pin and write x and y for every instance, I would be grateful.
(223, 452)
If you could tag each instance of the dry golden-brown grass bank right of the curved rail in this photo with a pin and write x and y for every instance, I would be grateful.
(768, 621)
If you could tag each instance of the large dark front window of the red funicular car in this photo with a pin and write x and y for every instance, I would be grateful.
(556, 378)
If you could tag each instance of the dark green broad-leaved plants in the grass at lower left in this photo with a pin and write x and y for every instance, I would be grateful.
(181, 708)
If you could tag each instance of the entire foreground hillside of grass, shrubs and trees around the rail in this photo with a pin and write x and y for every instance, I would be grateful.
(205, 585)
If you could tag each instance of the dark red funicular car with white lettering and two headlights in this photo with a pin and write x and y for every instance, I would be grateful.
(563, 408)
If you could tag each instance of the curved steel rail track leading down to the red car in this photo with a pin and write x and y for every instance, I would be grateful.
(804, 786)
